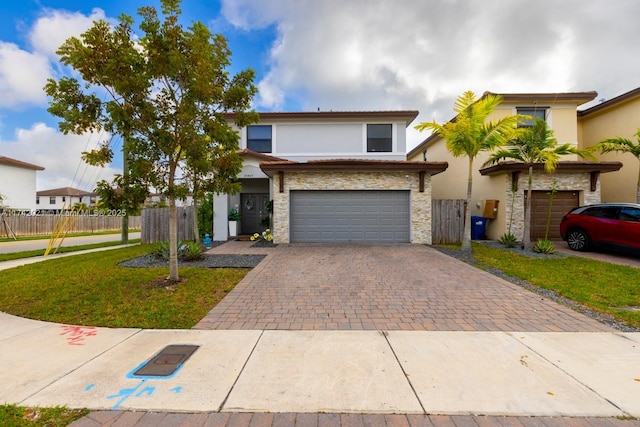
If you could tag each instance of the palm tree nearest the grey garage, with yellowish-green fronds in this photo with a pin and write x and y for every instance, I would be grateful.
(469, 133)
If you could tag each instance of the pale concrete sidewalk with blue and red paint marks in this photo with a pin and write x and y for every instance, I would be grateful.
(411, 372)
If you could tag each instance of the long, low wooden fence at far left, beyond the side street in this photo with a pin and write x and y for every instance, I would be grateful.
(44, 224)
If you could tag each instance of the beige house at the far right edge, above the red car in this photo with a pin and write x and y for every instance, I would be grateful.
(617, 117)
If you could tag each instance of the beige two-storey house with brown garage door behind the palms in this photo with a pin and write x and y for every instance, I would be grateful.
(499, 191)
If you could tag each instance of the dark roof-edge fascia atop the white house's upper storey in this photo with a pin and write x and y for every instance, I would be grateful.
(406, 115)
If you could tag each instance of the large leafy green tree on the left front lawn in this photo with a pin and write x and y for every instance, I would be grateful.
(165, 93)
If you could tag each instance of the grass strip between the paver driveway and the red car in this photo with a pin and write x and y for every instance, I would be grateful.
(607, 288)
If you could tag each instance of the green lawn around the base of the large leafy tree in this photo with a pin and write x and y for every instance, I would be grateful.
(92, 290)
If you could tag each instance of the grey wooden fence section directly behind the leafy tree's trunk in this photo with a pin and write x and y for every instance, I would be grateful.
(155, 224)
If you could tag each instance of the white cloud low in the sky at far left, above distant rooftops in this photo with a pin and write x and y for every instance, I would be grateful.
(60, 155)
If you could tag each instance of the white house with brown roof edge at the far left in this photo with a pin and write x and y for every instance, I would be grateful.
(18, 183)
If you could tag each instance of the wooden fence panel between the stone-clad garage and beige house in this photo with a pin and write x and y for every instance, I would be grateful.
(447, 220)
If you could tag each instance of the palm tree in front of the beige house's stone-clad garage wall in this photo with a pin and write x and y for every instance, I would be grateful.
(534, 145)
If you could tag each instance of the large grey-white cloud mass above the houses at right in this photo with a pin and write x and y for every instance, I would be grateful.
(379, 54)
